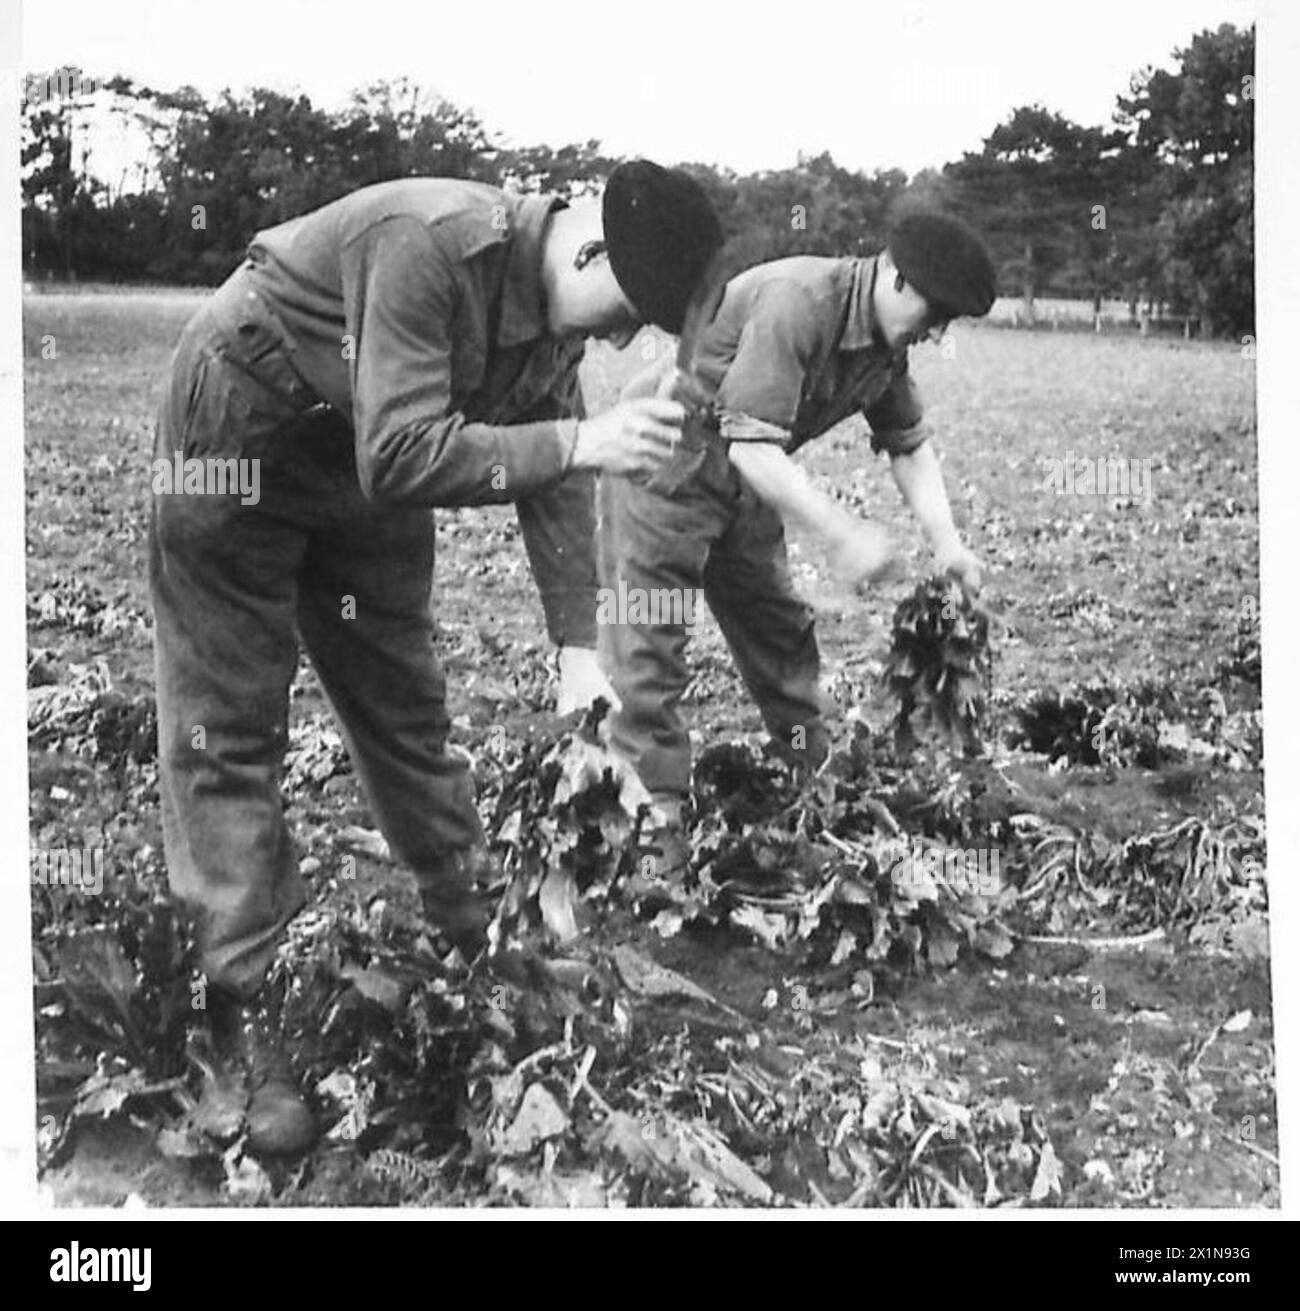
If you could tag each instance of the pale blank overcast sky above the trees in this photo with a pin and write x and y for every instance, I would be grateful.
(906, 85)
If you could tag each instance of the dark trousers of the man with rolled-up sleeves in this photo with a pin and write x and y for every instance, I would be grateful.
(699, 528)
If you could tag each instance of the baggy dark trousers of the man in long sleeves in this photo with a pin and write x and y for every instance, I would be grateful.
(235, 587)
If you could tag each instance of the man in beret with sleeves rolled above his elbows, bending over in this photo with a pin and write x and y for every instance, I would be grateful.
(795, 347)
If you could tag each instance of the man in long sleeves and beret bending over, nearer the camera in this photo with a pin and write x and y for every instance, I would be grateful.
(412, 345)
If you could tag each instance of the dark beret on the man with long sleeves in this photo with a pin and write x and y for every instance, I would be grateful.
(661, 234)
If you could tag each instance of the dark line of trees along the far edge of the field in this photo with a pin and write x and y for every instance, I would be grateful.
(1157, 208)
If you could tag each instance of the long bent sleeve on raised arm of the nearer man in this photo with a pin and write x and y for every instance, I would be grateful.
(400, 300)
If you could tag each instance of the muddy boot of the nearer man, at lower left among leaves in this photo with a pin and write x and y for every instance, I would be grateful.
(250, 1049)
